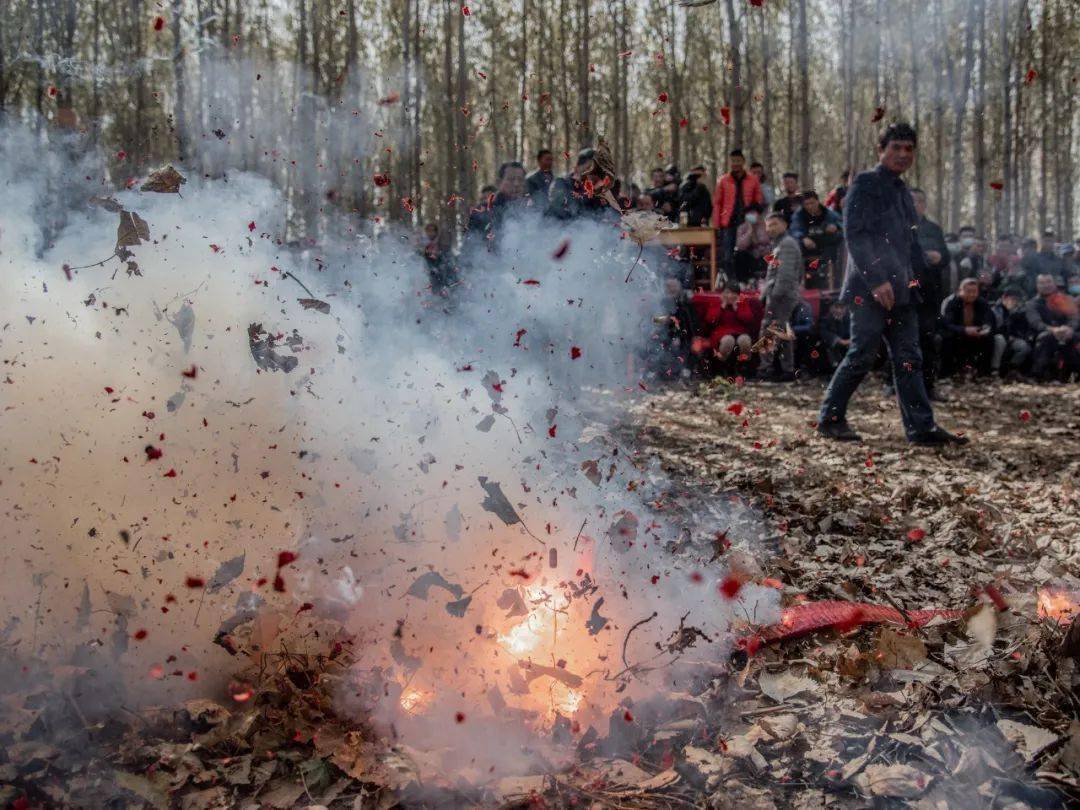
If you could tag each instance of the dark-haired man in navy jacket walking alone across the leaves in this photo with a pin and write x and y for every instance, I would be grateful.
(885, 256)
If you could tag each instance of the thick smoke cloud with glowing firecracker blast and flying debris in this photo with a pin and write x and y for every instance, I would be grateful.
(236, 441)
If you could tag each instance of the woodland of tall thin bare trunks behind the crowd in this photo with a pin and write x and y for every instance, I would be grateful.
(323, 96)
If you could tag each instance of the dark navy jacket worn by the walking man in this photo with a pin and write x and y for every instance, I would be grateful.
(880, 224)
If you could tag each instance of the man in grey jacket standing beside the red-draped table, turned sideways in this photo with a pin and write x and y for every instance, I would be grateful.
(784, 286)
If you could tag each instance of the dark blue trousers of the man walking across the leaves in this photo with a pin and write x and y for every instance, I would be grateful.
(900, 327)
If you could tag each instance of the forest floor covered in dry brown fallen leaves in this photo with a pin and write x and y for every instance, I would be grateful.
(977, 710)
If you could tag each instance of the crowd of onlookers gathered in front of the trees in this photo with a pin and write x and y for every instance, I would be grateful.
(776, 314)
